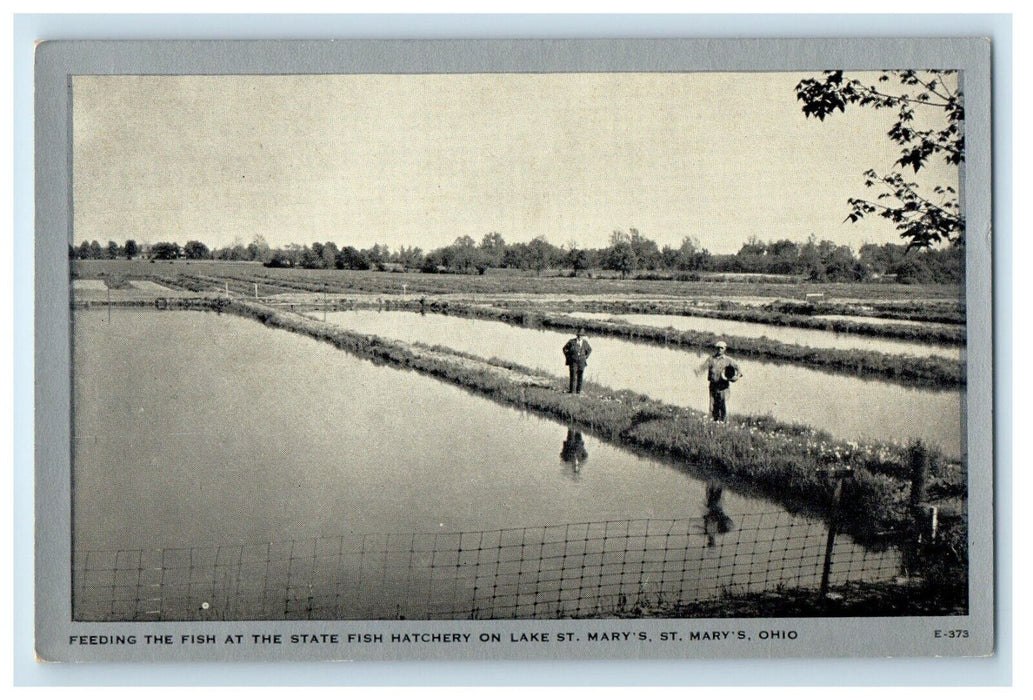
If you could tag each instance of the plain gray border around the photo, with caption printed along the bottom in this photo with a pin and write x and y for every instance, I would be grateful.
(827, 638)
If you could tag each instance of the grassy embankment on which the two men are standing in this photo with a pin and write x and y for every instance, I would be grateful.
(787, 463)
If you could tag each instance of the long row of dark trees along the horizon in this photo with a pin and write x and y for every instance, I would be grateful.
(630, 254)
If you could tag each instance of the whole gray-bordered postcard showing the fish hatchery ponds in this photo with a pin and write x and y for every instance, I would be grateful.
(588, 349)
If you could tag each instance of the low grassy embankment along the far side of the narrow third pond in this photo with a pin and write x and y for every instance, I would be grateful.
(767, 315)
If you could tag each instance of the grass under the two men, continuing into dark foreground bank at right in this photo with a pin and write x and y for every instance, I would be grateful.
(786, 463)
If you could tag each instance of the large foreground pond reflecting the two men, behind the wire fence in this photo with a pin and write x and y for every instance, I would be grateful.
(225, 470)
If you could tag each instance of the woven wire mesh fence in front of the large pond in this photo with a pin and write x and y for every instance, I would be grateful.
(545, 572)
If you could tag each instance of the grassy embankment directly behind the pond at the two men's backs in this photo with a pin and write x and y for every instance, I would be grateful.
(930, 371)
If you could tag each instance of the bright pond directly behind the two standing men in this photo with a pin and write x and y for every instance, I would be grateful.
(849, 407)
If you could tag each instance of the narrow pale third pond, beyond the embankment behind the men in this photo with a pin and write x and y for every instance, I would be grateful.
(806, 337)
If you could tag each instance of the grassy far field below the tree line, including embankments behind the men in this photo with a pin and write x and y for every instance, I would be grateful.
(934, 312)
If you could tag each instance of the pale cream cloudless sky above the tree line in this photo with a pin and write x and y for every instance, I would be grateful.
(421, 161)
